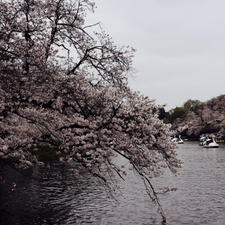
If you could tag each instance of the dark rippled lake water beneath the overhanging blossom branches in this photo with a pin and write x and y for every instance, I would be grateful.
(58, 198)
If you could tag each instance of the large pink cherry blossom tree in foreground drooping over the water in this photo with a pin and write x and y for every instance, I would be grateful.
(64, 85)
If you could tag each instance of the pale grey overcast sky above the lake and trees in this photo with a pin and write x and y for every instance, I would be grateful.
(180, 45)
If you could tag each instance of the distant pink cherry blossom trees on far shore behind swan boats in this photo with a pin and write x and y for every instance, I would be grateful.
(204, 118)
